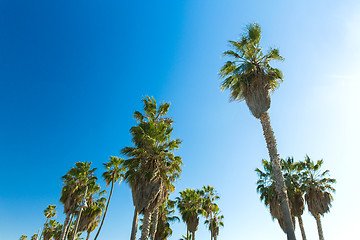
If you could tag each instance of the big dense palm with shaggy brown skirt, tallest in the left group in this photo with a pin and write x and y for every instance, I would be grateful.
(152, 167)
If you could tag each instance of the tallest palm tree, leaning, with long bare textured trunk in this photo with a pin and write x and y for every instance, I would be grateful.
(250, 77)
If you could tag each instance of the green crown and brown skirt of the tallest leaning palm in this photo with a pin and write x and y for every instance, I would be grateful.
(249, 75)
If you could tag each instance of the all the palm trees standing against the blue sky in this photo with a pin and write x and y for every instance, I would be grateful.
(151, 167)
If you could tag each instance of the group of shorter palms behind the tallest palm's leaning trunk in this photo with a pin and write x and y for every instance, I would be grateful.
(304, 180)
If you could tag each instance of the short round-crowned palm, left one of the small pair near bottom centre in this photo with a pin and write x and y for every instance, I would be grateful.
(190, 207)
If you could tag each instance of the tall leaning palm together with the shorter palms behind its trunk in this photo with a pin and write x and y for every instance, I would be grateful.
(249, 76)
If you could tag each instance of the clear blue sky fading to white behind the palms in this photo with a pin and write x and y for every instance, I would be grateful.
(73, 72)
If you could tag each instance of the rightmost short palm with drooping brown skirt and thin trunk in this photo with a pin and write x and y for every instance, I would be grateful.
(318, 190)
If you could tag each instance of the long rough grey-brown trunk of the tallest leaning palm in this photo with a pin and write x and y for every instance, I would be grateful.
(278, 176)
